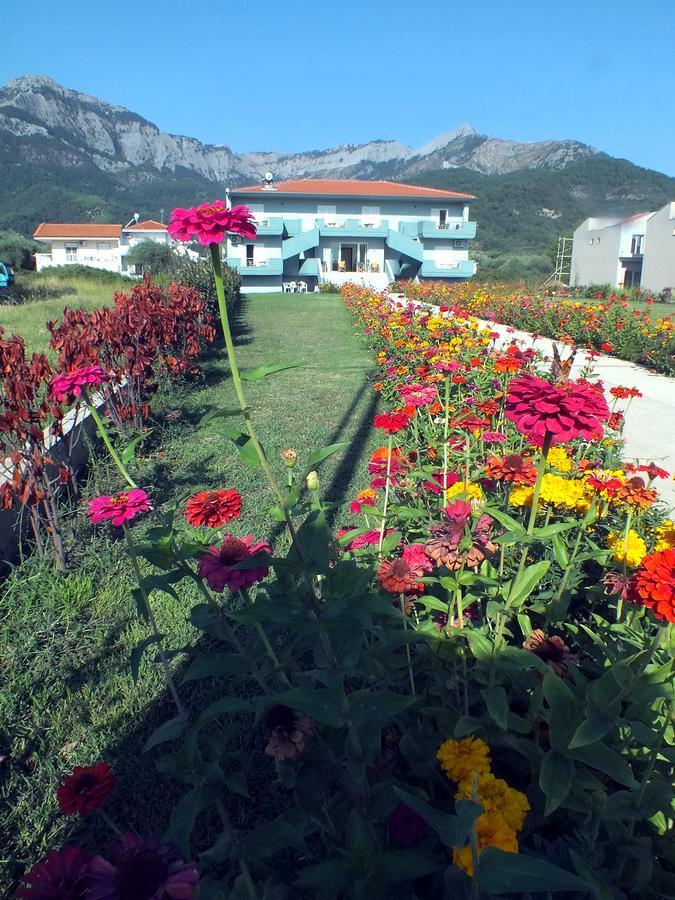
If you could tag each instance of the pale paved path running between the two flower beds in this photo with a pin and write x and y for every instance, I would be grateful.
(649, 430)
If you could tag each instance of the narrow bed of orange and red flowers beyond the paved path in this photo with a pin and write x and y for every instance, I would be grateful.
(610, 326)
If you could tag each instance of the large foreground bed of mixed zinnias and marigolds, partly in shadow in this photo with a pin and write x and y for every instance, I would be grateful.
(465, 692)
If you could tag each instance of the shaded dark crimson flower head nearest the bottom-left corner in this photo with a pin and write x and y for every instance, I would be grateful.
(61, 875)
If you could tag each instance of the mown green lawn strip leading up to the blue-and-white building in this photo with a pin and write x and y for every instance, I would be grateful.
(68, 697)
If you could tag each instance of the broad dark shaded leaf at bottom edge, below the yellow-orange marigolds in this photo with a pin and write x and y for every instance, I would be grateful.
(518, 873)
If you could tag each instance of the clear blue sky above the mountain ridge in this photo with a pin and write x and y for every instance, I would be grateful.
(289, 75)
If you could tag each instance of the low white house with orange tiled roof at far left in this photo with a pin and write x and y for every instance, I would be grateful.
(99, 246)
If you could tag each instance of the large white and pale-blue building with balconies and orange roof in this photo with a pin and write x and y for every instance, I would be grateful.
(339, 230)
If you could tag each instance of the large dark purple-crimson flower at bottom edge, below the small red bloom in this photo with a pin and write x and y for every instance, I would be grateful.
(137, 867)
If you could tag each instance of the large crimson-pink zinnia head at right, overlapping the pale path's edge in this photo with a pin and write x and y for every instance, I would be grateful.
(567, 411)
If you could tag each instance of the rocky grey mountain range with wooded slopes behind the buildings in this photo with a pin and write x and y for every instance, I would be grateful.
(68, 156)
